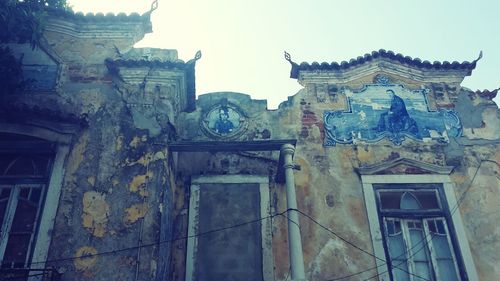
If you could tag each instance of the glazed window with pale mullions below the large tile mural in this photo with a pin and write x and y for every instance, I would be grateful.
(417, 236)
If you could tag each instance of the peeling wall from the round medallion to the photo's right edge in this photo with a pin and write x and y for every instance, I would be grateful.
(328, 187)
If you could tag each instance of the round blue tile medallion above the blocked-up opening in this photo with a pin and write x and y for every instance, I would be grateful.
(223, 121)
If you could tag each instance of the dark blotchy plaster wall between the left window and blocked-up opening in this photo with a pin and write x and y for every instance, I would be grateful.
(112, 196)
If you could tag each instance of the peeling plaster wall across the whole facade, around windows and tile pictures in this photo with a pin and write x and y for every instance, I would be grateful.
(122, 186)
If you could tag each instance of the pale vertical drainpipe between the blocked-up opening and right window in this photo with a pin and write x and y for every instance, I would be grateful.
(294, 239)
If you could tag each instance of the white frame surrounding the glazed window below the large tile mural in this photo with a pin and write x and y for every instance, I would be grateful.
(374, 222)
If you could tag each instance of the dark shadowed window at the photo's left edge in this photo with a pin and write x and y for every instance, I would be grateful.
(25, 164)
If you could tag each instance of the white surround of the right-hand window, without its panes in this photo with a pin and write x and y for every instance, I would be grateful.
(448, 200)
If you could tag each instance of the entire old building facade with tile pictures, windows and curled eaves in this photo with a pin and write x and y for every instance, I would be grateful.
(111, 168)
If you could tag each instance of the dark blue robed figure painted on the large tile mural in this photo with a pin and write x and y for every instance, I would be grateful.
(397, 119)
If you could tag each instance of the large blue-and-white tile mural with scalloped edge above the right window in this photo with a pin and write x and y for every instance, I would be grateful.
(390, 111)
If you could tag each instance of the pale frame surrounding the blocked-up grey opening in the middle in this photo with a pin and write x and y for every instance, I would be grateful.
(192, 241)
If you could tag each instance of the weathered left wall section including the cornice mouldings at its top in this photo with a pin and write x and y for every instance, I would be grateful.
(117, 186)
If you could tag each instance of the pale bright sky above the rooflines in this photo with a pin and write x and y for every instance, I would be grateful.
(242, 41)
